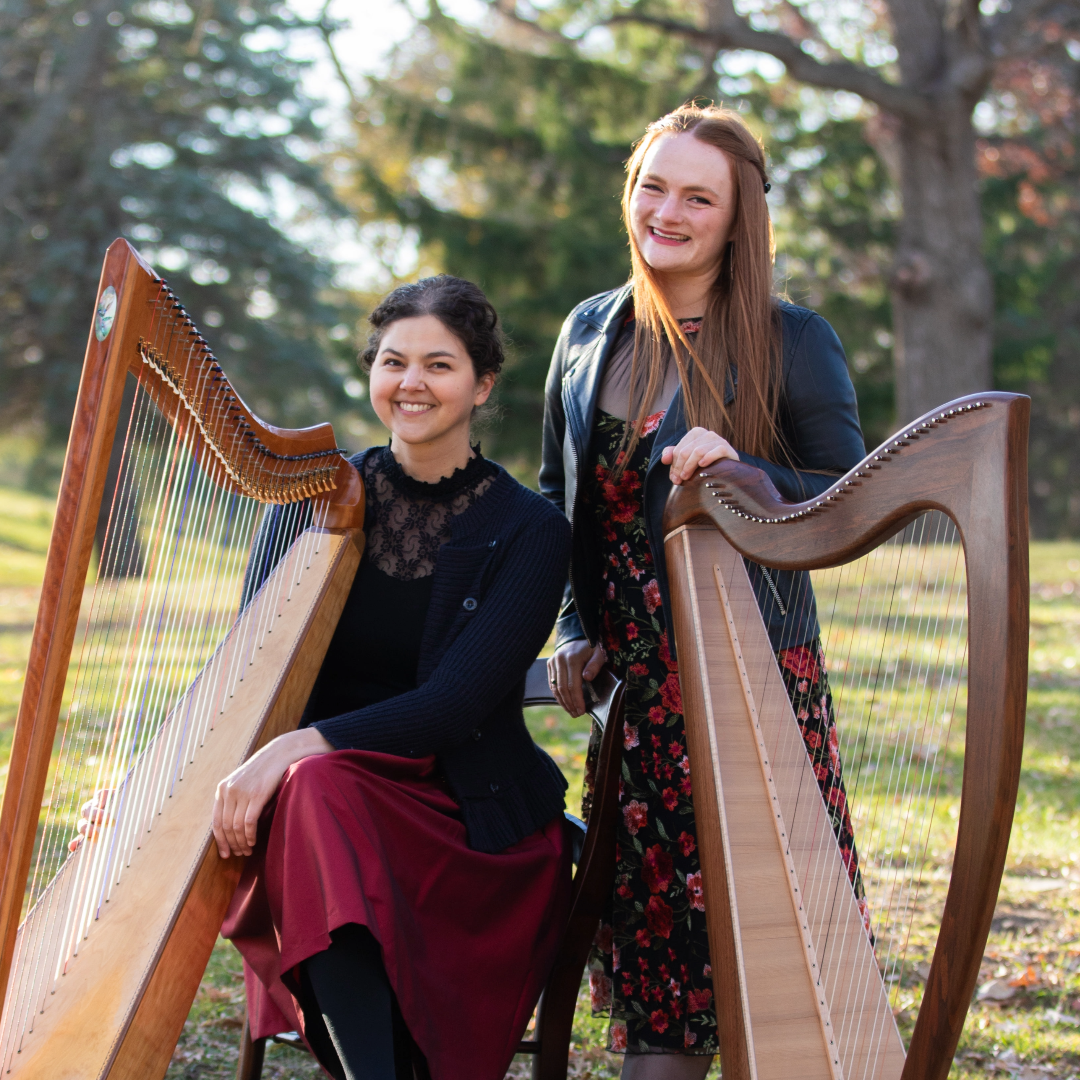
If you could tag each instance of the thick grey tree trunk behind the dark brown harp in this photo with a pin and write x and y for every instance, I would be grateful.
(942, 296)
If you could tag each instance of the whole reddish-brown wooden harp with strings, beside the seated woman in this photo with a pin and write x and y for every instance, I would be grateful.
(154, 680)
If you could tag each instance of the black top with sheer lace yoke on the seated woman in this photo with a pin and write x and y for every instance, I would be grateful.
(376, 647)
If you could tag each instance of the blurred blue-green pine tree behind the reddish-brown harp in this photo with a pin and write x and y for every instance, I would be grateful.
(171, 128)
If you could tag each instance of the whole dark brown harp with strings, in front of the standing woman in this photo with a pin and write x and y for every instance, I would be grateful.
(854, 803)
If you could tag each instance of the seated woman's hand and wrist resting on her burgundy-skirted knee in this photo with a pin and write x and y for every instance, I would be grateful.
(242, 796)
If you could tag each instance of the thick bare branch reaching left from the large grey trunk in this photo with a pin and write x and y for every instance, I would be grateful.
(734, 33)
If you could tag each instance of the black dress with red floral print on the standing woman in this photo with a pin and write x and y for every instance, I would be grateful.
(651, 970)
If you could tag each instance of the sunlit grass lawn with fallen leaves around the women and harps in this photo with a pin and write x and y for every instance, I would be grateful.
(1028, 1027)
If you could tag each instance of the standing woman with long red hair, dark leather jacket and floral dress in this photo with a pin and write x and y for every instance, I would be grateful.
(692, 362)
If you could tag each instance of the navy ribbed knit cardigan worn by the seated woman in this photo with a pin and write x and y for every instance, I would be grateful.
(495, 598)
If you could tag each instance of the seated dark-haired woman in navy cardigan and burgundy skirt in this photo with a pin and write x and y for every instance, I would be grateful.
(408, 877)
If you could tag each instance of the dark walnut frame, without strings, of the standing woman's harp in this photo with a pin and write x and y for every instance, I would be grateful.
(968, 461)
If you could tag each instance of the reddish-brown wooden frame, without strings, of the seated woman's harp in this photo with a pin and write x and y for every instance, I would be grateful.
(272, 465)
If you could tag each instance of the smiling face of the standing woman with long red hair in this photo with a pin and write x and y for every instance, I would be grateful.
(683, 207)
